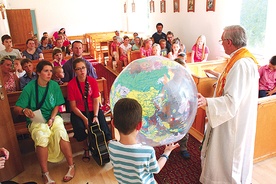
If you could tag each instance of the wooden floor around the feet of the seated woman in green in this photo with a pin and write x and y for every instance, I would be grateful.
(86, 173)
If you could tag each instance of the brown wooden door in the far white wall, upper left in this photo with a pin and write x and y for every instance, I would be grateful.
(20, 24)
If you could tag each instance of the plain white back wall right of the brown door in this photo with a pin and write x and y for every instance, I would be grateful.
(78, 17)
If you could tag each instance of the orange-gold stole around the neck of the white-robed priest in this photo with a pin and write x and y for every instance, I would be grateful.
(242, 53)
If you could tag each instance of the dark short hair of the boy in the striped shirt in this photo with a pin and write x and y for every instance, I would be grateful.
(127, 115)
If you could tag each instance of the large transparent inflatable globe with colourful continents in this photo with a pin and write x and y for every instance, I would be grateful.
(167, 94)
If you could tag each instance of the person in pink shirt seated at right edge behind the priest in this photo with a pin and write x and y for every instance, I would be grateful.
(267, 81)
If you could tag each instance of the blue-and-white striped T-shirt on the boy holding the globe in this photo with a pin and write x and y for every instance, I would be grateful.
(133, 163)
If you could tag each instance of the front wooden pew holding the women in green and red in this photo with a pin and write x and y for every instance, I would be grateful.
(20, 127)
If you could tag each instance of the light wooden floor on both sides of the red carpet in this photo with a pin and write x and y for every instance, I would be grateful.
(90, 173)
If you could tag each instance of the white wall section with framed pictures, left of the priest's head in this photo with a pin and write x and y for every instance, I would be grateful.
(189, 25)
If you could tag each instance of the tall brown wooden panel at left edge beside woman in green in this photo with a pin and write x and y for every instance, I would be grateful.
(8, 139)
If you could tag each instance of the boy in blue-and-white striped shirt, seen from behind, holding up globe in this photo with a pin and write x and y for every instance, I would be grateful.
(132, 161)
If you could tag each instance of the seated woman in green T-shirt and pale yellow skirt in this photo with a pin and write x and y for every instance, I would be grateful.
(48, 132)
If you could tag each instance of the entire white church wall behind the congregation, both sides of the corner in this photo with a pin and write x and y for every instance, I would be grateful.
(79, 17)
